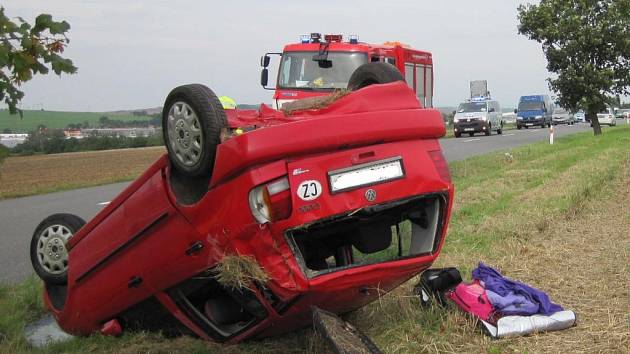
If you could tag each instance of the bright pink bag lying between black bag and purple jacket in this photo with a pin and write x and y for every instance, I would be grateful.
(472, 298)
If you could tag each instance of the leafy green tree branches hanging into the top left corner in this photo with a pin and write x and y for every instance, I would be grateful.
(27, 50)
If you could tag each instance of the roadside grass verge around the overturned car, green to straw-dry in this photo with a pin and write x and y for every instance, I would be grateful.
(554, 216)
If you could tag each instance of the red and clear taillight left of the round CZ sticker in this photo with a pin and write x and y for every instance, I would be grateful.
(271, 201)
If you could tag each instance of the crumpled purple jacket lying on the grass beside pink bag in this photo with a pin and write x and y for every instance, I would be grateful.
(512, 297)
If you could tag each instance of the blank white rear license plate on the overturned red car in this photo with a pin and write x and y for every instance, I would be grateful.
(366, 174)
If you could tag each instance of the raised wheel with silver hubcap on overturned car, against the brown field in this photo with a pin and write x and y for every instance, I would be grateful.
(192, 120)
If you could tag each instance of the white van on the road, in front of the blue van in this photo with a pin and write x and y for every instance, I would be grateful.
(478, 115)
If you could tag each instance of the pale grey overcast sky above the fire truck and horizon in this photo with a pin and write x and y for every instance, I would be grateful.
(131, 53)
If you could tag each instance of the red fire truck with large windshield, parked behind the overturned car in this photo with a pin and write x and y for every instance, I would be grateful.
(317, 66)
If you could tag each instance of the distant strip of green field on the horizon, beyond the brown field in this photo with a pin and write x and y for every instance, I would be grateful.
(52, 119)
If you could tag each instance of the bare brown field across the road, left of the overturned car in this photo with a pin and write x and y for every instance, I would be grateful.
(27, 175)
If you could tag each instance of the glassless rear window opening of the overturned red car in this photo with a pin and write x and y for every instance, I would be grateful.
(372, 235)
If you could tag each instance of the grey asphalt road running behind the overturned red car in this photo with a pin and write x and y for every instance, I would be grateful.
(19, 217)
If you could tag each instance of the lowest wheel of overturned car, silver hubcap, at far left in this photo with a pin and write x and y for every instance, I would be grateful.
(48, 251)
